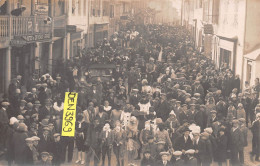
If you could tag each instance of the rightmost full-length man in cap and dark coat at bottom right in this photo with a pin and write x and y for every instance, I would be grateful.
(236, 142)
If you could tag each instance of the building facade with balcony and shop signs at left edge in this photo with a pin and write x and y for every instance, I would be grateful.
(27, 38)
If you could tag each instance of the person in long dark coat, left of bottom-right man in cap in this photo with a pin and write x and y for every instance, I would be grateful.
(221, 151)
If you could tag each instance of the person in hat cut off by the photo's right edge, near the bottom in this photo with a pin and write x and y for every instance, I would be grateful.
(255, 129)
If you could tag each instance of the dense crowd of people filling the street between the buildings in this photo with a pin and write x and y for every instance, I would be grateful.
(165, 103)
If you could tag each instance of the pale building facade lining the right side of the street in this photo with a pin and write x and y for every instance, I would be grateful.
(227, 32)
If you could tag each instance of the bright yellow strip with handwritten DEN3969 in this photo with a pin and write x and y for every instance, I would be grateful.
(69, 114)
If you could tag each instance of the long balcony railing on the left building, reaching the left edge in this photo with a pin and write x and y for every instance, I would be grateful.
(23, 25)
